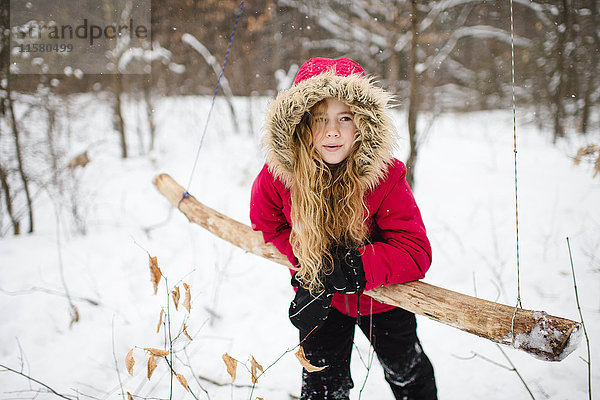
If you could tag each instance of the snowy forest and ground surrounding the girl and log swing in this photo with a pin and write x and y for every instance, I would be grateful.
(489, 96)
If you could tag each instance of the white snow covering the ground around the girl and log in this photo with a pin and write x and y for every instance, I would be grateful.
(465, 190)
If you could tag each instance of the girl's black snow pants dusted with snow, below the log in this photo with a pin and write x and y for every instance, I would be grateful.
(394, 339)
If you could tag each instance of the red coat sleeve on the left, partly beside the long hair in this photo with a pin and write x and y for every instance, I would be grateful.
(266, 213)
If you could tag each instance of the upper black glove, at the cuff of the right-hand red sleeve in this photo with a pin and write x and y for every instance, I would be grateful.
(348, 275)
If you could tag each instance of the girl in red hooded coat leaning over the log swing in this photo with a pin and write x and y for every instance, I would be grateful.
(332, 198)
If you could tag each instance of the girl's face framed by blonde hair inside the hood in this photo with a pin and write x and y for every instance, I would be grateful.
(333, 130)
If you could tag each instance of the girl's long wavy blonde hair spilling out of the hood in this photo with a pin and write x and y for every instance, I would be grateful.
(327, 204)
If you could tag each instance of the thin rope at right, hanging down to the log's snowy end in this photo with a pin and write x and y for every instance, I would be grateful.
(514, 112)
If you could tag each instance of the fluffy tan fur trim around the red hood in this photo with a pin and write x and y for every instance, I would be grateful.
(369, 105)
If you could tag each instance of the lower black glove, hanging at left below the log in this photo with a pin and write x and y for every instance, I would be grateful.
(308, 311)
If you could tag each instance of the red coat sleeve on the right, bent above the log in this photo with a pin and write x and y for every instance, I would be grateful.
(403, 253)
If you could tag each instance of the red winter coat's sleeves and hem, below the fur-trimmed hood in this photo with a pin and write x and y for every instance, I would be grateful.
(399, 251)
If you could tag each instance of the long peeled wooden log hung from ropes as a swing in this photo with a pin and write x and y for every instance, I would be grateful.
(544, 336)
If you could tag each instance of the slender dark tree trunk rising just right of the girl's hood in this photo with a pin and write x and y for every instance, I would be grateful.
(413, 107)
